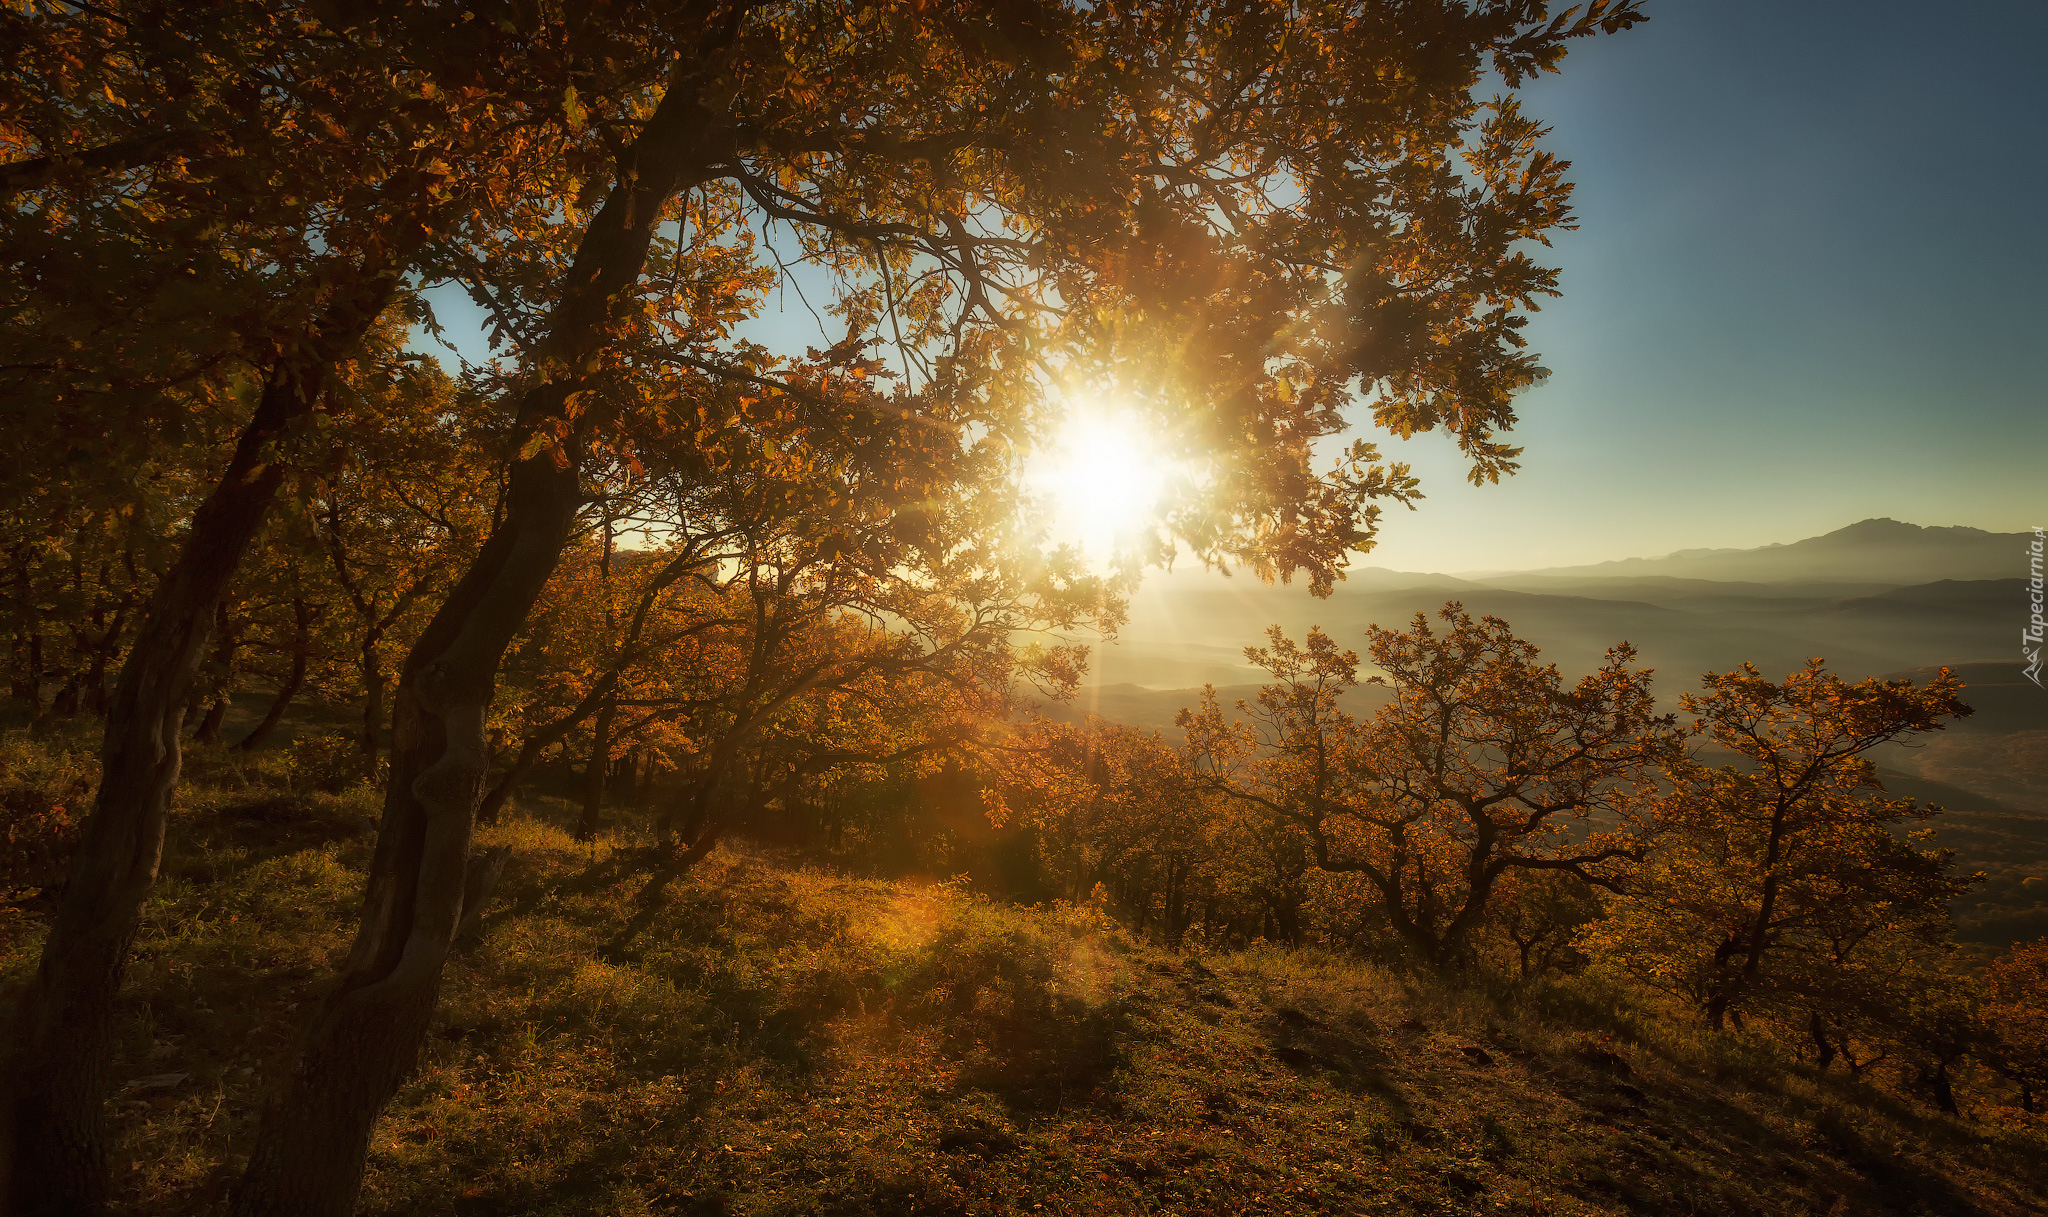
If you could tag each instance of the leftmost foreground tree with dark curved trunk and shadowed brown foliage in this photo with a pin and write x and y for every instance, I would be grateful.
(208, 214)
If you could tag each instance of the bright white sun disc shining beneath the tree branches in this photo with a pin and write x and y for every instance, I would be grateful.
(1101, 480)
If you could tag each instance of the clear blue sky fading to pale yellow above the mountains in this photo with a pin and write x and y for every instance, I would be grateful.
(1807, 290)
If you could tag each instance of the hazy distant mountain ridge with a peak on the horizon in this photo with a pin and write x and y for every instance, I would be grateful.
(1869, 552)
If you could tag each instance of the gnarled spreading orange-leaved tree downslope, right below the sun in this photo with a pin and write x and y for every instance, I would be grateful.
(1482, 765)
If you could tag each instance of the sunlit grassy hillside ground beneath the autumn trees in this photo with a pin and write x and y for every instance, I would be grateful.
(783, 1040)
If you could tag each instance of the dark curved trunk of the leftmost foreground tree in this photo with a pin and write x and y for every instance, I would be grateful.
(52, 1132)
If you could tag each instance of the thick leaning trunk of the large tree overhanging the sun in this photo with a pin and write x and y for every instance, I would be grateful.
(361, 1042)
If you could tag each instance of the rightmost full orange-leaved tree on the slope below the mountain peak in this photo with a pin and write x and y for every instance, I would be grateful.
(1787, 859)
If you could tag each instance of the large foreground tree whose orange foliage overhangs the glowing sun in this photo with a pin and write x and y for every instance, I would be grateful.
(1005, 194)
